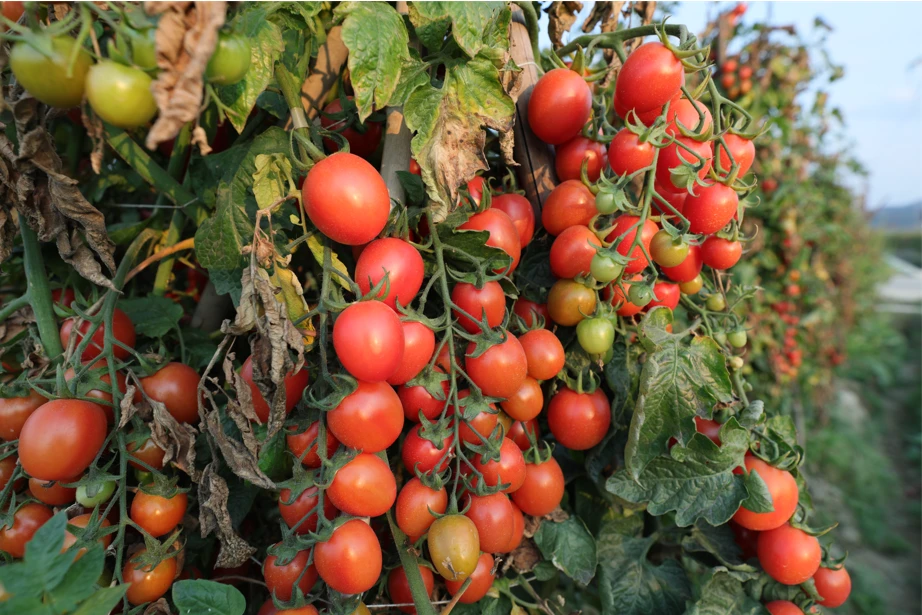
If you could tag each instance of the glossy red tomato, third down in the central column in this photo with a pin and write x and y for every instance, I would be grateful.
(368, 339)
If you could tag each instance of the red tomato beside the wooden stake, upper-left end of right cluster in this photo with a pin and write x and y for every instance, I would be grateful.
(560, 105)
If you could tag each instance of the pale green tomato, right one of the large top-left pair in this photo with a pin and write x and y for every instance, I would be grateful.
(120, 94)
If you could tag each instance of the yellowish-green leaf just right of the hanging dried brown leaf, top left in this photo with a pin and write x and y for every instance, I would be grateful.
(266, 47)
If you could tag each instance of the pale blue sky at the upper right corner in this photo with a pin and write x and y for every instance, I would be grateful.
(881, 93)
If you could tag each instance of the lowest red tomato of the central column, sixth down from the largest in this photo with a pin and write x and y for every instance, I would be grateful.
(350, 561)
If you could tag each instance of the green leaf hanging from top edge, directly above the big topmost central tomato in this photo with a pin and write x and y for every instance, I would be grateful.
(378, 42)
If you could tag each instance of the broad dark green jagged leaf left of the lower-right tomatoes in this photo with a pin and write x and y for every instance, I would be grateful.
(695, 482)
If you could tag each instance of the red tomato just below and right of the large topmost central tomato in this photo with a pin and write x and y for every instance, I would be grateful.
(402, 264)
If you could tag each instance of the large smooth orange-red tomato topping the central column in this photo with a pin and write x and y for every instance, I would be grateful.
(346, 199)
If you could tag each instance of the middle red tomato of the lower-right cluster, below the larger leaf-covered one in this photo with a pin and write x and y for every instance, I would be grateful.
(789, 555)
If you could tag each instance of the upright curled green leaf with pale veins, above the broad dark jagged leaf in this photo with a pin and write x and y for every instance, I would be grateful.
(679, 380)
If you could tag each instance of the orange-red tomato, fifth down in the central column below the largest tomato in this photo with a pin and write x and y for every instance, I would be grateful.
(364, 487)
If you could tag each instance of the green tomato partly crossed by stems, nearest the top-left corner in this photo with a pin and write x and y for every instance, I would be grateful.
(46, 77)
